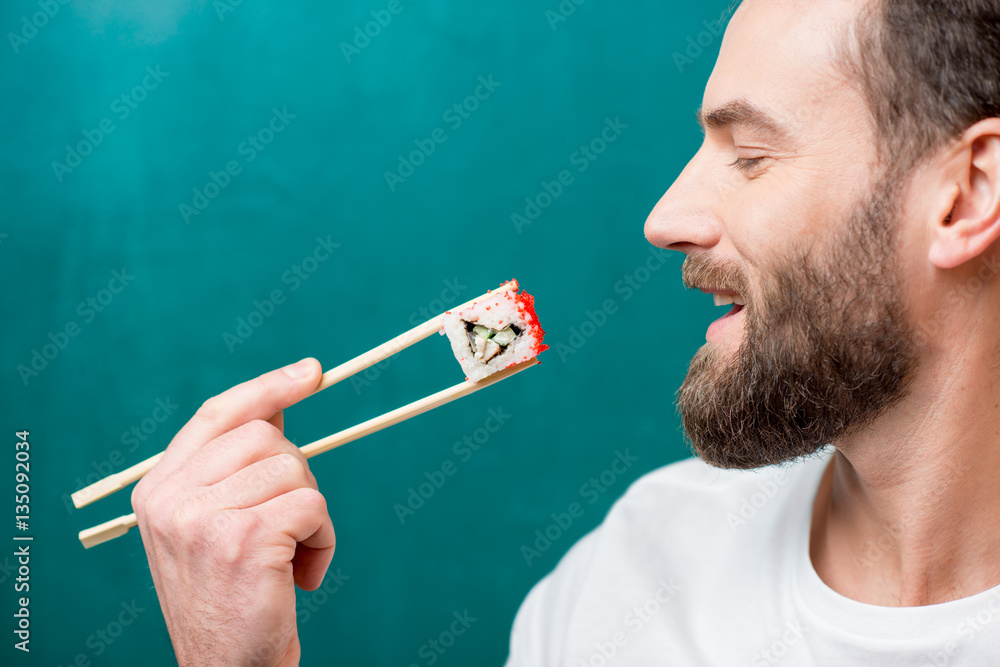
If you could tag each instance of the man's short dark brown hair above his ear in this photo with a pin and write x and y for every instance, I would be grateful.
(929, 69)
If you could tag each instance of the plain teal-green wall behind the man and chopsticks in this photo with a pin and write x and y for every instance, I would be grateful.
(323, 176)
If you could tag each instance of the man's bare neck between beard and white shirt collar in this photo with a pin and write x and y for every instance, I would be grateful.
(908, 511)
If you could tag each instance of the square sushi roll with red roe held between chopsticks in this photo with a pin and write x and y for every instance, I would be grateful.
(494, 332)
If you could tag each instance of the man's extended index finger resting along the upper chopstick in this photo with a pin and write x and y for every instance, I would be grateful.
(260, 398)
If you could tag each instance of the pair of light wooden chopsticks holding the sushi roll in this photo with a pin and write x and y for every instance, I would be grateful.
(120, 480)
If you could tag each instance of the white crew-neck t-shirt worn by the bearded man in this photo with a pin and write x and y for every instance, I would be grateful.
(696, 566)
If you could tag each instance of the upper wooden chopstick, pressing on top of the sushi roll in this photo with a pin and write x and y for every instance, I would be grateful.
(120, 480)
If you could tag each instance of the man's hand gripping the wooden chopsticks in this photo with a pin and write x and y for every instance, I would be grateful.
(231, 519)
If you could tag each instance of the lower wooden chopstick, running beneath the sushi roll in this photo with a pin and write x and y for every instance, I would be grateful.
(116, 527)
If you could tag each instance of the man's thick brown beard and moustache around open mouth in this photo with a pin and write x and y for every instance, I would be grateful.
(827, 348)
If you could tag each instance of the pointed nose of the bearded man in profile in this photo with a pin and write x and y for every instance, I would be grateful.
(684, 219)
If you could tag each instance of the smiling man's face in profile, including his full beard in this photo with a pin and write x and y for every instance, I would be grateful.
(786, 206)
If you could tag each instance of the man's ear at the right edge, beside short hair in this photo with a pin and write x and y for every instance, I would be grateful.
(967, 221)
